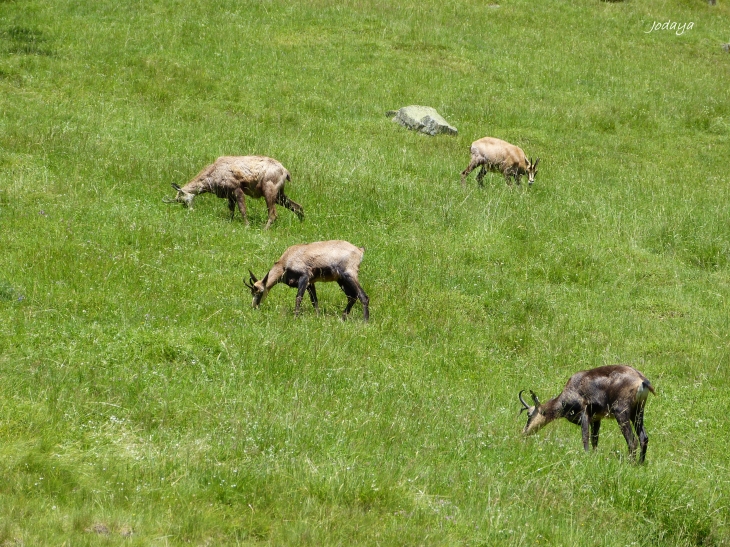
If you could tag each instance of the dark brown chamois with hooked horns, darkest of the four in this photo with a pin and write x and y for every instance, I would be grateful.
(590, 395)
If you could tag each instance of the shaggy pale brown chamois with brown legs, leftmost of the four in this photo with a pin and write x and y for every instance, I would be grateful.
(234, 178)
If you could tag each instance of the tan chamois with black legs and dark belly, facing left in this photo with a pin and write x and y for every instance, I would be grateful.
(302, 266)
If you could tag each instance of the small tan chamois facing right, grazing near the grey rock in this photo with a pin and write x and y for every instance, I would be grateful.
(498, 155)
